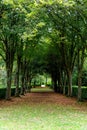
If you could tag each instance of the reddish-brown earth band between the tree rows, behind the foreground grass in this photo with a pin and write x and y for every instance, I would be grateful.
(45, 98)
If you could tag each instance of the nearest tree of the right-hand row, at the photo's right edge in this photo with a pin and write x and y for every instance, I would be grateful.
(81, 18)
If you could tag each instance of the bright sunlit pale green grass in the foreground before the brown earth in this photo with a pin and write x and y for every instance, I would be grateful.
(42, 117)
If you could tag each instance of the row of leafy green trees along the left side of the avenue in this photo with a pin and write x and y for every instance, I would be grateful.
(15, 43)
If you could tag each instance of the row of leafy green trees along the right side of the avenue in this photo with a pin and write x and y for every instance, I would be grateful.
(69, 26)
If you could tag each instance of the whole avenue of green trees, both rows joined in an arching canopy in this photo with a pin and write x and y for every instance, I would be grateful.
(43, 36)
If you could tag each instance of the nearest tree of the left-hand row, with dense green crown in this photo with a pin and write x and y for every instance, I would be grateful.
(10, 23)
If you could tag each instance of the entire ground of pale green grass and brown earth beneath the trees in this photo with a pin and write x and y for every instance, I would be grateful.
(41, 110)
